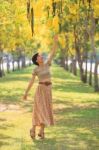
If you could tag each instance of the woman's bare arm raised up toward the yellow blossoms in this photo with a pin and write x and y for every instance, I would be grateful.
(53, 51)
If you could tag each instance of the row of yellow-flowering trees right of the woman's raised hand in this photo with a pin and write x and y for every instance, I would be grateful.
(82, 40)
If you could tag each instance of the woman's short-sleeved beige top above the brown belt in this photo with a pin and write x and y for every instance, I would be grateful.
(43, 72)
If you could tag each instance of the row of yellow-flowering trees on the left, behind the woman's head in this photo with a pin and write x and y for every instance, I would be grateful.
(15, 34)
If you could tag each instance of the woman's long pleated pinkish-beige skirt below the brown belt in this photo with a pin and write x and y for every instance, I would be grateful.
(42, 107)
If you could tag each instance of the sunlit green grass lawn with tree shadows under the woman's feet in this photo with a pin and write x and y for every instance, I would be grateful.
(76, 113)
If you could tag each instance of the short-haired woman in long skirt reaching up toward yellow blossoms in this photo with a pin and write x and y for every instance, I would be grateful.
(42, 109)
